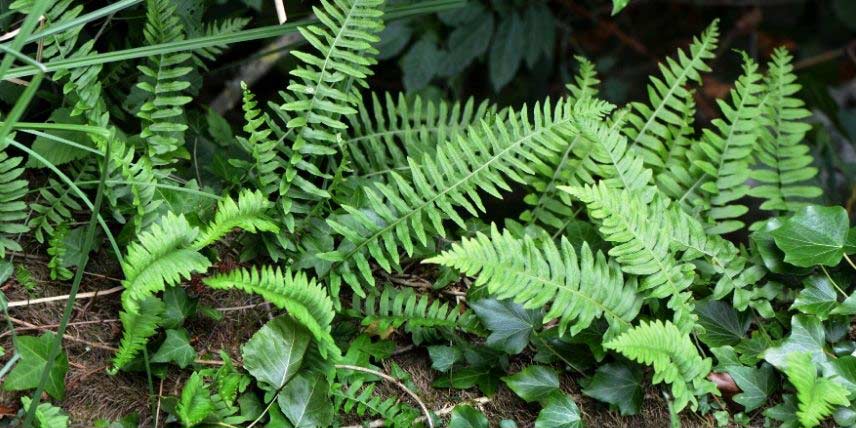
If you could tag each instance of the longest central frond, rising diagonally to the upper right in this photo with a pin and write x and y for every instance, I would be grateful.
(405, 210)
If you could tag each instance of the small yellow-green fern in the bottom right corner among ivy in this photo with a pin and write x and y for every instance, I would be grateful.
(817, 396)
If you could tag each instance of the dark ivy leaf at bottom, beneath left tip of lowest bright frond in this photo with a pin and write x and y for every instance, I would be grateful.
(619, 384)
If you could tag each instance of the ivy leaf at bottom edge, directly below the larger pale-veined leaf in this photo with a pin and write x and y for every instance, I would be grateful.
(305, 403)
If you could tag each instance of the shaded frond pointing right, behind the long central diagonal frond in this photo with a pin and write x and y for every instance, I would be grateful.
(385, 135)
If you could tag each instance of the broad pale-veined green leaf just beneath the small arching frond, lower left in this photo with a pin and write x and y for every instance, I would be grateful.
(274, 354)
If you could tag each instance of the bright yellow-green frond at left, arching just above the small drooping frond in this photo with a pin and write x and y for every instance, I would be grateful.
(163, 255)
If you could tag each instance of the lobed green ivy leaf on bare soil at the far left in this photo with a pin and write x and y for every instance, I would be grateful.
(28, 371)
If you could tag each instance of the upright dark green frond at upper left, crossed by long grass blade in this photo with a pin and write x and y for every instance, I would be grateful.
(163, 111)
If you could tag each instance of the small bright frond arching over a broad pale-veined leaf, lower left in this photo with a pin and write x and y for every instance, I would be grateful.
(305, 300)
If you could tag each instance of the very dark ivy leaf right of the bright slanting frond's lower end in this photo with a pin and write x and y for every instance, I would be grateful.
(723, 324)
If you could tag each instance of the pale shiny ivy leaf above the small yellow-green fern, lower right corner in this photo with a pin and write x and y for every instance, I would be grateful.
(807, 335)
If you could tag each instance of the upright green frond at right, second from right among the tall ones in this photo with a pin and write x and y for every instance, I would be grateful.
(724, 155)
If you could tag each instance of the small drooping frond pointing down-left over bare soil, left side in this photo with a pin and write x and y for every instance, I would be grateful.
(138, 325)
